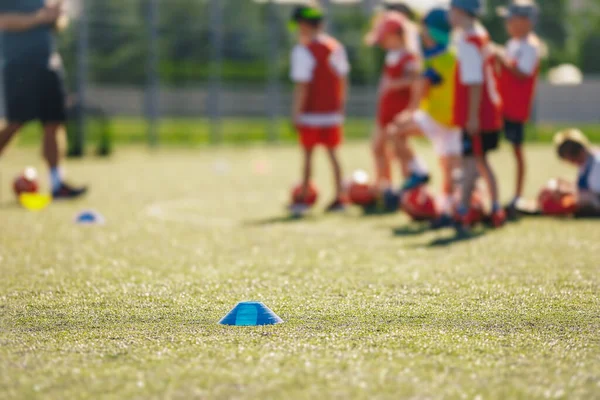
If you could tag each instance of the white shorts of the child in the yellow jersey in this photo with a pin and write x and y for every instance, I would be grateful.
(446, 141)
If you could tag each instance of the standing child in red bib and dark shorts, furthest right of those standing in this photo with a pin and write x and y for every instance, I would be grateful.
(519, 71)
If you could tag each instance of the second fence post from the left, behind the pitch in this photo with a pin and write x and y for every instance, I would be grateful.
(152, 90)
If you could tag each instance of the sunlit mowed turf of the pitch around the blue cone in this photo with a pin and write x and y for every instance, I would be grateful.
(373, 306)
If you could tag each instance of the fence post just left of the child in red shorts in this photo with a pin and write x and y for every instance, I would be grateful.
(273, 93)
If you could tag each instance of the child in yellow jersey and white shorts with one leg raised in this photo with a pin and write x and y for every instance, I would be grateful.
(431, 113)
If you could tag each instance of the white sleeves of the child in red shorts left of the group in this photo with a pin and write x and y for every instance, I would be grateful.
(303, 63)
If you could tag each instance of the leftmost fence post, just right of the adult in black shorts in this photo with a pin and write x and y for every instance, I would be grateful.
(83, 39)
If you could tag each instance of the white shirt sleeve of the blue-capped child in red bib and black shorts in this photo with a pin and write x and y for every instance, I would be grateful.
(470, 57)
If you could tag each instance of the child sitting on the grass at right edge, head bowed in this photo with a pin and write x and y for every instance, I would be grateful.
(573, 146)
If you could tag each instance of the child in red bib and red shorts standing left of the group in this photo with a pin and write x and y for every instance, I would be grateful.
(319, 69)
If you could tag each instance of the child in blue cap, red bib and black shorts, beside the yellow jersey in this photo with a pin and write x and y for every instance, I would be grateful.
(477, 106)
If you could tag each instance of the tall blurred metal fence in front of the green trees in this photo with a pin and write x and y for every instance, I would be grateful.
(214, 61)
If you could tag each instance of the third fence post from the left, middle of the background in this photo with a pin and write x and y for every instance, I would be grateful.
(216, 65)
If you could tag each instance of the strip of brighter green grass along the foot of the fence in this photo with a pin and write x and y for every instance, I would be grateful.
(243, 131)
